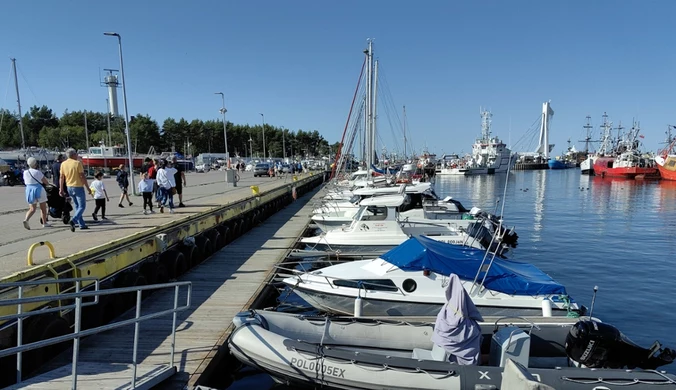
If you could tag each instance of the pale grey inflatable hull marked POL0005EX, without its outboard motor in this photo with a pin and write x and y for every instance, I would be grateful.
(349, 353)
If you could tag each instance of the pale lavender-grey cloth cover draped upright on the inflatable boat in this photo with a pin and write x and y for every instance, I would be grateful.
(456, 328)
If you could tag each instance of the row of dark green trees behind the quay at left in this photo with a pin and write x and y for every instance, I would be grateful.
(42, 128)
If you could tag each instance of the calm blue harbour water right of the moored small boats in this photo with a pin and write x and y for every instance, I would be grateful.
(585, 232)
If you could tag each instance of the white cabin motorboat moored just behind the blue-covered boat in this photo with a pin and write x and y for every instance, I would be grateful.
(377, 228)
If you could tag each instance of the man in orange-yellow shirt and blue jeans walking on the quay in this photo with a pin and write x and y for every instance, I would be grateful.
(73, 178)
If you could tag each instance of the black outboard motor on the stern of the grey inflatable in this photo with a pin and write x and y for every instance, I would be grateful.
(599, 345)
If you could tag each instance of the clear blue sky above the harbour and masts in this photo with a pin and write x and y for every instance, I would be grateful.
(298, 61)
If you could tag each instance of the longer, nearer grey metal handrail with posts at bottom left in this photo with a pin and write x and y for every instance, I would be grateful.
(78, 333)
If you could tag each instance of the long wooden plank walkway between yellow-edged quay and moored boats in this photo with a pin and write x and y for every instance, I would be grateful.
(222, 287)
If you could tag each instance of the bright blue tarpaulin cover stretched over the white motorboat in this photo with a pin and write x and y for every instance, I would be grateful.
(506, 276)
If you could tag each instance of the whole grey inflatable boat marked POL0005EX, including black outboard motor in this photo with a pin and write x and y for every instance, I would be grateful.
(377, 353)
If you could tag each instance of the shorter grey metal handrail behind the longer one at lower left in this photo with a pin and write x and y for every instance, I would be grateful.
(20, 315)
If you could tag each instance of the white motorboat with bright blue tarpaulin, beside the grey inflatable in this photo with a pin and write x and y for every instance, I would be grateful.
(410, 280)
